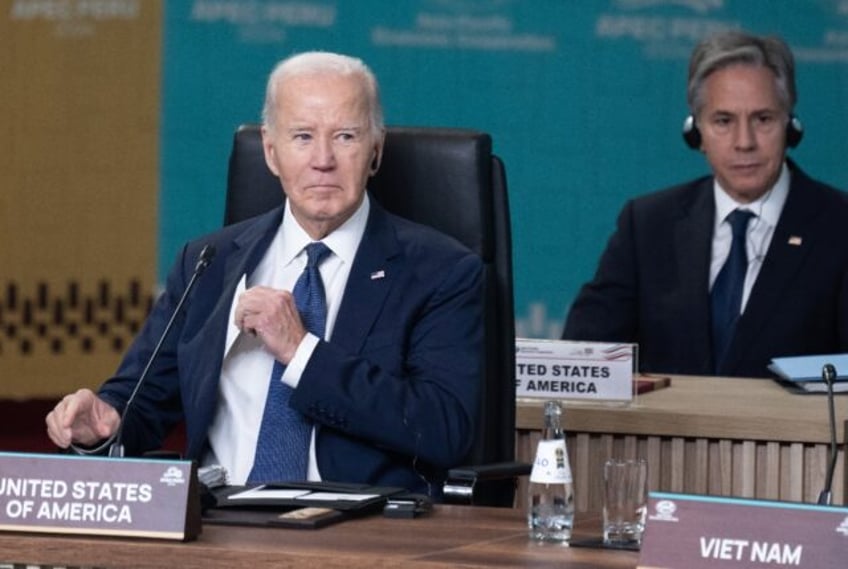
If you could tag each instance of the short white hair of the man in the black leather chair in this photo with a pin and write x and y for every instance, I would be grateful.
(319, 62)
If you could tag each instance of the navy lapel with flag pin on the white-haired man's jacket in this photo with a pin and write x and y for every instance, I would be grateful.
(372, 275)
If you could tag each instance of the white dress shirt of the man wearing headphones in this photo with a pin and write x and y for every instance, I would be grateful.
(766, 212)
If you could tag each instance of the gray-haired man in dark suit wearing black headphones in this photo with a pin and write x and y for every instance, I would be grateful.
(719, 275)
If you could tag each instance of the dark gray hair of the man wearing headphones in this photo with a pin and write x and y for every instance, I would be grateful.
(733, 47)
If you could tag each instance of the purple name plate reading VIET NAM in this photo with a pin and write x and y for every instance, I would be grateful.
(685, 531)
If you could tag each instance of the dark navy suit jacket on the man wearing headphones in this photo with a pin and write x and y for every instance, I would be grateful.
(652, 283)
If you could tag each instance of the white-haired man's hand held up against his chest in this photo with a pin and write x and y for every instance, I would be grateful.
(272, 316)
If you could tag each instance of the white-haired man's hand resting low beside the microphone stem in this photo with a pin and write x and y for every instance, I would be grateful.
(82, 418)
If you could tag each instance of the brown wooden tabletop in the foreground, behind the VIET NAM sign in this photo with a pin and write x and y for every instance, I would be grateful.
(449, 536)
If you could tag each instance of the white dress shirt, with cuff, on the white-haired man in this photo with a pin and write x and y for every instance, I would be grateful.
(247, 365)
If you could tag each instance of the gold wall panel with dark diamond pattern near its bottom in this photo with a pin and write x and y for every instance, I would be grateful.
(79, 182)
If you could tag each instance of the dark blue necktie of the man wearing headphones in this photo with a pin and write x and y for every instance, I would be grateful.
(726, 296)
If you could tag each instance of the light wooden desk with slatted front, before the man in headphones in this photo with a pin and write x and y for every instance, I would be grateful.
(748, 438)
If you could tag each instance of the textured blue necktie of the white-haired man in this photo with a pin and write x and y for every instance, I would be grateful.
(282, 450)
